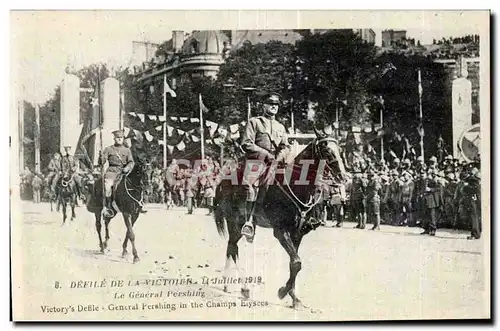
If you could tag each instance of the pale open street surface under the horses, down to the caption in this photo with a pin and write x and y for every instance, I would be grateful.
(347, 273)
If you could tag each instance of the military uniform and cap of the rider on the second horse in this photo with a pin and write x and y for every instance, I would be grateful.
(120, 161)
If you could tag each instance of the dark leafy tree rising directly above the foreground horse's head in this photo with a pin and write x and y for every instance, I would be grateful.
(338, 65)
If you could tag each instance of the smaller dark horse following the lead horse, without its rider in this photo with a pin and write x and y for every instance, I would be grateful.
(128, 196)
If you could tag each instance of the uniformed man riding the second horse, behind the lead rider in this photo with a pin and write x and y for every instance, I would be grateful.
(120, 163)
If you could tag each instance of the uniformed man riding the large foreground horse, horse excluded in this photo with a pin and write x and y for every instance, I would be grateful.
(264, 139)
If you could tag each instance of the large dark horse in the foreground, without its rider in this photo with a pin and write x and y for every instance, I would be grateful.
(288, 207)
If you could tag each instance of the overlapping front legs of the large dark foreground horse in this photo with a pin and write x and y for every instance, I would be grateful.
(291, 247)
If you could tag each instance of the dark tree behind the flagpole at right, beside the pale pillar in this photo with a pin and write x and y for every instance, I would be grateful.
(400, 92)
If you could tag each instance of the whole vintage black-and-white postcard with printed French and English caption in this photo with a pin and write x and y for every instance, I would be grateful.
(250, 165)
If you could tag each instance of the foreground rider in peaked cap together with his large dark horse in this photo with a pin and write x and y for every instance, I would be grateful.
(285, 204)
